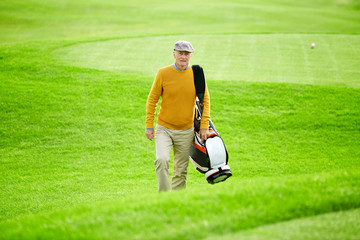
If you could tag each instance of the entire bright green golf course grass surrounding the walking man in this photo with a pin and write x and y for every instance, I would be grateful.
(75, 162)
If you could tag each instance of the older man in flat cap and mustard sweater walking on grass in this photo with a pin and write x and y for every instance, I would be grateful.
(175, 123)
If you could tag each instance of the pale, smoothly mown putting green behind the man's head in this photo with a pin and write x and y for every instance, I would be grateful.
(250, 57)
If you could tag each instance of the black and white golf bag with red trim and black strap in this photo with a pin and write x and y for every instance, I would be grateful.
(211, 157)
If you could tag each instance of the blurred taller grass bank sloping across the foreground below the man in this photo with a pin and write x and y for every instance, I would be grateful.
(202, 212)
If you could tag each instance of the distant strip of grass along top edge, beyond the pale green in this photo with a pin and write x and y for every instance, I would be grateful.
(82, 19)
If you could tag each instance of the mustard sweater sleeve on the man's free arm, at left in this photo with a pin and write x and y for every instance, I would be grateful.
(153, 98)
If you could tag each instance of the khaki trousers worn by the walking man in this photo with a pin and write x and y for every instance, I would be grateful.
(180, 141)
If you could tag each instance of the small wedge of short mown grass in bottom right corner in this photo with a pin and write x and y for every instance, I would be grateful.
(342, 225)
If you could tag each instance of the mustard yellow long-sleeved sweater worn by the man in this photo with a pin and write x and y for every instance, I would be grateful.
(177, 91)
